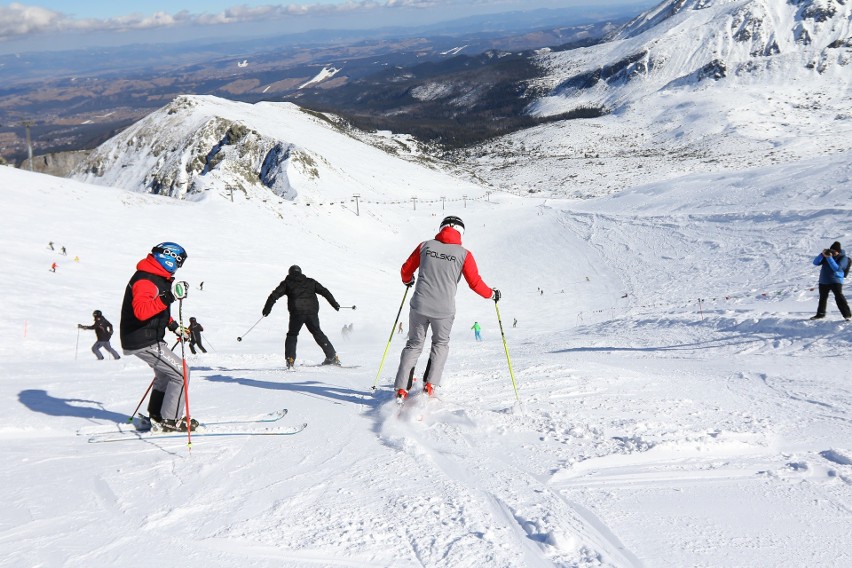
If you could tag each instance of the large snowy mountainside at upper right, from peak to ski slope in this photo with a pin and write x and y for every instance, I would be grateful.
(691, 86)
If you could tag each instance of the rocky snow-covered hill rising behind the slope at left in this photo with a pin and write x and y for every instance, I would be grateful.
(199, 142)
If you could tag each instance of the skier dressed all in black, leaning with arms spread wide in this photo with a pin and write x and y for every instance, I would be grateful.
(303, 305)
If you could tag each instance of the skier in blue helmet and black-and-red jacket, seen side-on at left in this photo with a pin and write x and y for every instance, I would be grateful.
(145, 316)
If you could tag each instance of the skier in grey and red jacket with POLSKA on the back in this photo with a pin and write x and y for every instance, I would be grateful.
(442, 262)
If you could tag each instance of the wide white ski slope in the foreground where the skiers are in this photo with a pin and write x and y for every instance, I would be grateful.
(678, 408)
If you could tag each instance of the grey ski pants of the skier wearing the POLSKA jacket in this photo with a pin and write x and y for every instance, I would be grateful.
(418, 324)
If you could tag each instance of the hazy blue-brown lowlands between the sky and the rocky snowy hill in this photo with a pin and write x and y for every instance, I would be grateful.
(78, 99)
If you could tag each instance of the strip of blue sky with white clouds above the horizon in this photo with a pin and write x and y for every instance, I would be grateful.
(63, 24)
